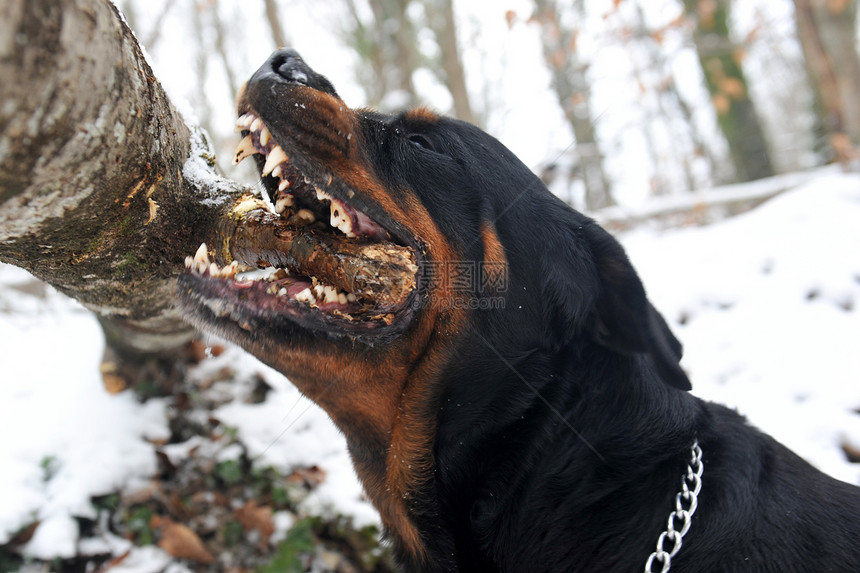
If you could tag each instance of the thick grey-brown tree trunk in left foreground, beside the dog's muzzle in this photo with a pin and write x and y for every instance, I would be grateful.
(103, 188)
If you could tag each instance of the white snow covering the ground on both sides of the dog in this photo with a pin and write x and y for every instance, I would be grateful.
(766, 304)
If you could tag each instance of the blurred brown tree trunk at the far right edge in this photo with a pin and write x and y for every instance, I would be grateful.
(828, 36)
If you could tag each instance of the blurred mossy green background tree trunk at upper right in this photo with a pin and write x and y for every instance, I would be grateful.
(721, 66)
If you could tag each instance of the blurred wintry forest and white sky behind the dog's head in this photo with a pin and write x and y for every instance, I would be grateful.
(696, 93)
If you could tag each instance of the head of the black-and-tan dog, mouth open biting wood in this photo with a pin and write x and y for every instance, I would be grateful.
(402, 237)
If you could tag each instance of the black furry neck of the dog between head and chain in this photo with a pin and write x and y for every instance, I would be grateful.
(594, 457)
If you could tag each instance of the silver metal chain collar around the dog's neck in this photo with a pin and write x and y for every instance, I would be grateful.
(686, 502)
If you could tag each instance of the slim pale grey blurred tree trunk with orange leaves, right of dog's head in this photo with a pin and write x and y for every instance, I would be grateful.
(570, 82)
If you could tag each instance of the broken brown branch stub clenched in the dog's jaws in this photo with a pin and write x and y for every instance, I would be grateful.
(381, 272)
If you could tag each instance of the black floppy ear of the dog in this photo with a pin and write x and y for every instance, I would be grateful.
(625, 320)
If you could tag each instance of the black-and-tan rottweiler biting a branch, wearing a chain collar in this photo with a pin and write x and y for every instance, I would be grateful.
(518, 406)
